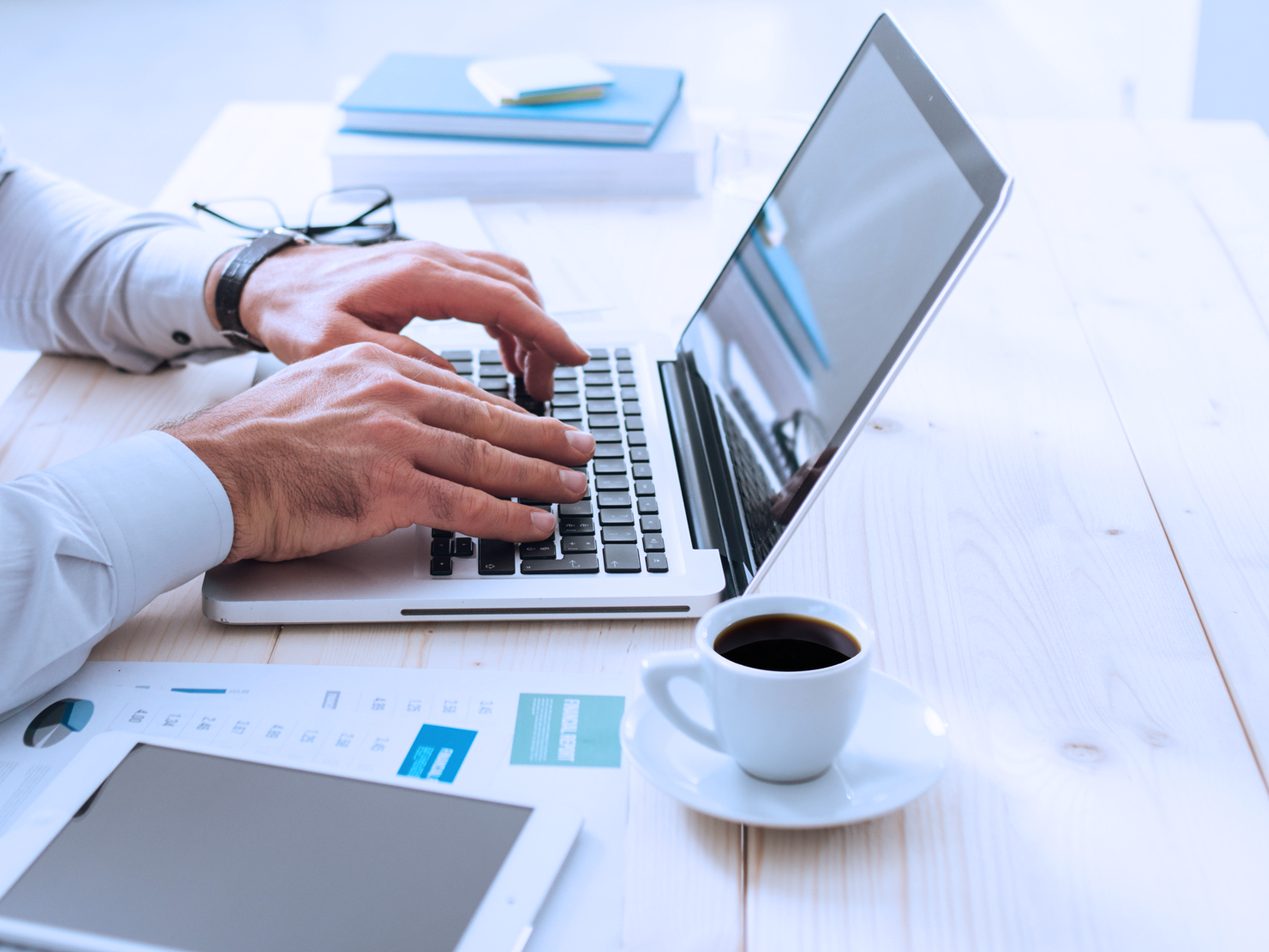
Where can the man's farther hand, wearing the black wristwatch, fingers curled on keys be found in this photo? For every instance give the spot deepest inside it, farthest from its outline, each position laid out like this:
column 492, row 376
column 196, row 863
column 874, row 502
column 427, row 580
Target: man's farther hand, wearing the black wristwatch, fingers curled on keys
column 312, row 299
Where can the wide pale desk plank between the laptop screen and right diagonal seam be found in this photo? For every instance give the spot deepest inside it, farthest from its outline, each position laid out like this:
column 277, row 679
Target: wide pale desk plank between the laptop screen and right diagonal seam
column 994, row 525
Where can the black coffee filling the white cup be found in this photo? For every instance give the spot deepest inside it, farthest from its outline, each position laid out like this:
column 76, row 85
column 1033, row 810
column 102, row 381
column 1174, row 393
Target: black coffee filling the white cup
column 786, row 643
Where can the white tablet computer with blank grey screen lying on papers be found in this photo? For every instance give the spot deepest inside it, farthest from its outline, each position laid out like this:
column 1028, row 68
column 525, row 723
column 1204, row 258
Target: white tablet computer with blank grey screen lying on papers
column 143, row 845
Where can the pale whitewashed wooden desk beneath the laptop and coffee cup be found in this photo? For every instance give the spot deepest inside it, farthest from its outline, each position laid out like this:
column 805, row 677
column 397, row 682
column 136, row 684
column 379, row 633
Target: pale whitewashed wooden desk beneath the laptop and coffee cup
column 1058, row 521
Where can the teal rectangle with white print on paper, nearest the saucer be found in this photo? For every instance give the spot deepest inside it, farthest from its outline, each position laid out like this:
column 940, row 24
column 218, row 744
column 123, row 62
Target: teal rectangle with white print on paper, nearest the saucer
column 569, row 731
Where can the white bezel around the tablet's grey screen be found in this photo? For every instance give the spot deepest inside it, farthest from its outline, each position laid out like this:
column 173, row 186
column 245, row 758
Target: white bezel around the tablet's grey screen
column 504, row 918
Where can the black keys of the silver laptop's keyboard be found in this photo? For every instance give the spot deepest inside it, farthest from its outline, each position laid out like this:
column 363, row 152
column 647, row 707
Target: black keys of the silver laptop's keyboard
column 617, row 527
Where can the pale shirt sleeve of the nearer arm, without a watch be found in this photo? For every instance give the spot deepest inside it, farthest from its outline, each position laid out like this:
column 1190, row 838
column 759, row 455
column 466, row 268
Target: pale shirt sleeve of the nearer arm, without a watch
column 91, row 543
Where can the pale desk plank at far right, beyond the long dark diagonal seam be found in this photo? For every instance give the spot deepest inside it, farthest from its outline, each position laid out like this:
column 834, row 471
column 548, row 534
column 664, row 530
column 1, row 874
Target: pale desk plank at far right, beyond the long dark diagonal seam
column 1176, row 303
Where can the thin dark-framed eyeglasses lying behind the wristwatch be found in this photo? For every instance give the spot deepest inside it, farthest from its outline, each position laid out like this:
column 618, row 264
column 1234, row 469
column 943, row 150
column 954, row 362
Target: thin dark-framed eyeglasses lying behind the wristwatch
column 345, row 216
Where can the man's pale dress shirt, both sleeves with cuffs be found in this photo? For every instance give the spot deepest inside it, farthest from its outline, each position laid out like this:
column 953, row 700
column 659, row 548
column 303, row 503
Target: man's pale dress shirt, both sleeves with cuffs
column 87, row 544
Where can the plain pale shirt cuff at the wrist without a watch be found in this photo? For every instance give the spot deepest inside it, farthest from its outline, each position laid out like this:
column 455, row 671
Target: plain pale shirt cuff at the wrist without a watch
column 163, row 515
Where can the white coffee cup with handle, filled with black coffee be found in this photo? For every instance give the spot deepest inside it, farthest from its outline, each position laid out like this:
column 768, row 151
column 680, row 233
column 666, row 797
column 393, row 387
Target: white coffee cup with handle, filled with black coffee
column 785, row 678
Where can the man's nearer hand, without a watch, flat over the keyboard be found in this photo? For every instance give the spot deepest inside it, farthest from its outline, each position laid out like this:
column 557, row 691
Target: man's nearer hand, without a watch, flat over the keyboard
column 362, row 441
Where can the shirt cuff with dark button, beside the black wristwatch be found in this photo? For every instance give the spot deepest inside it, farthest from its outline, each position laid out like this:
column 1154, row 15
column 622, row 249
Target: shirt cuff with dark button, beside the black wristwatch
column 166, row 291
